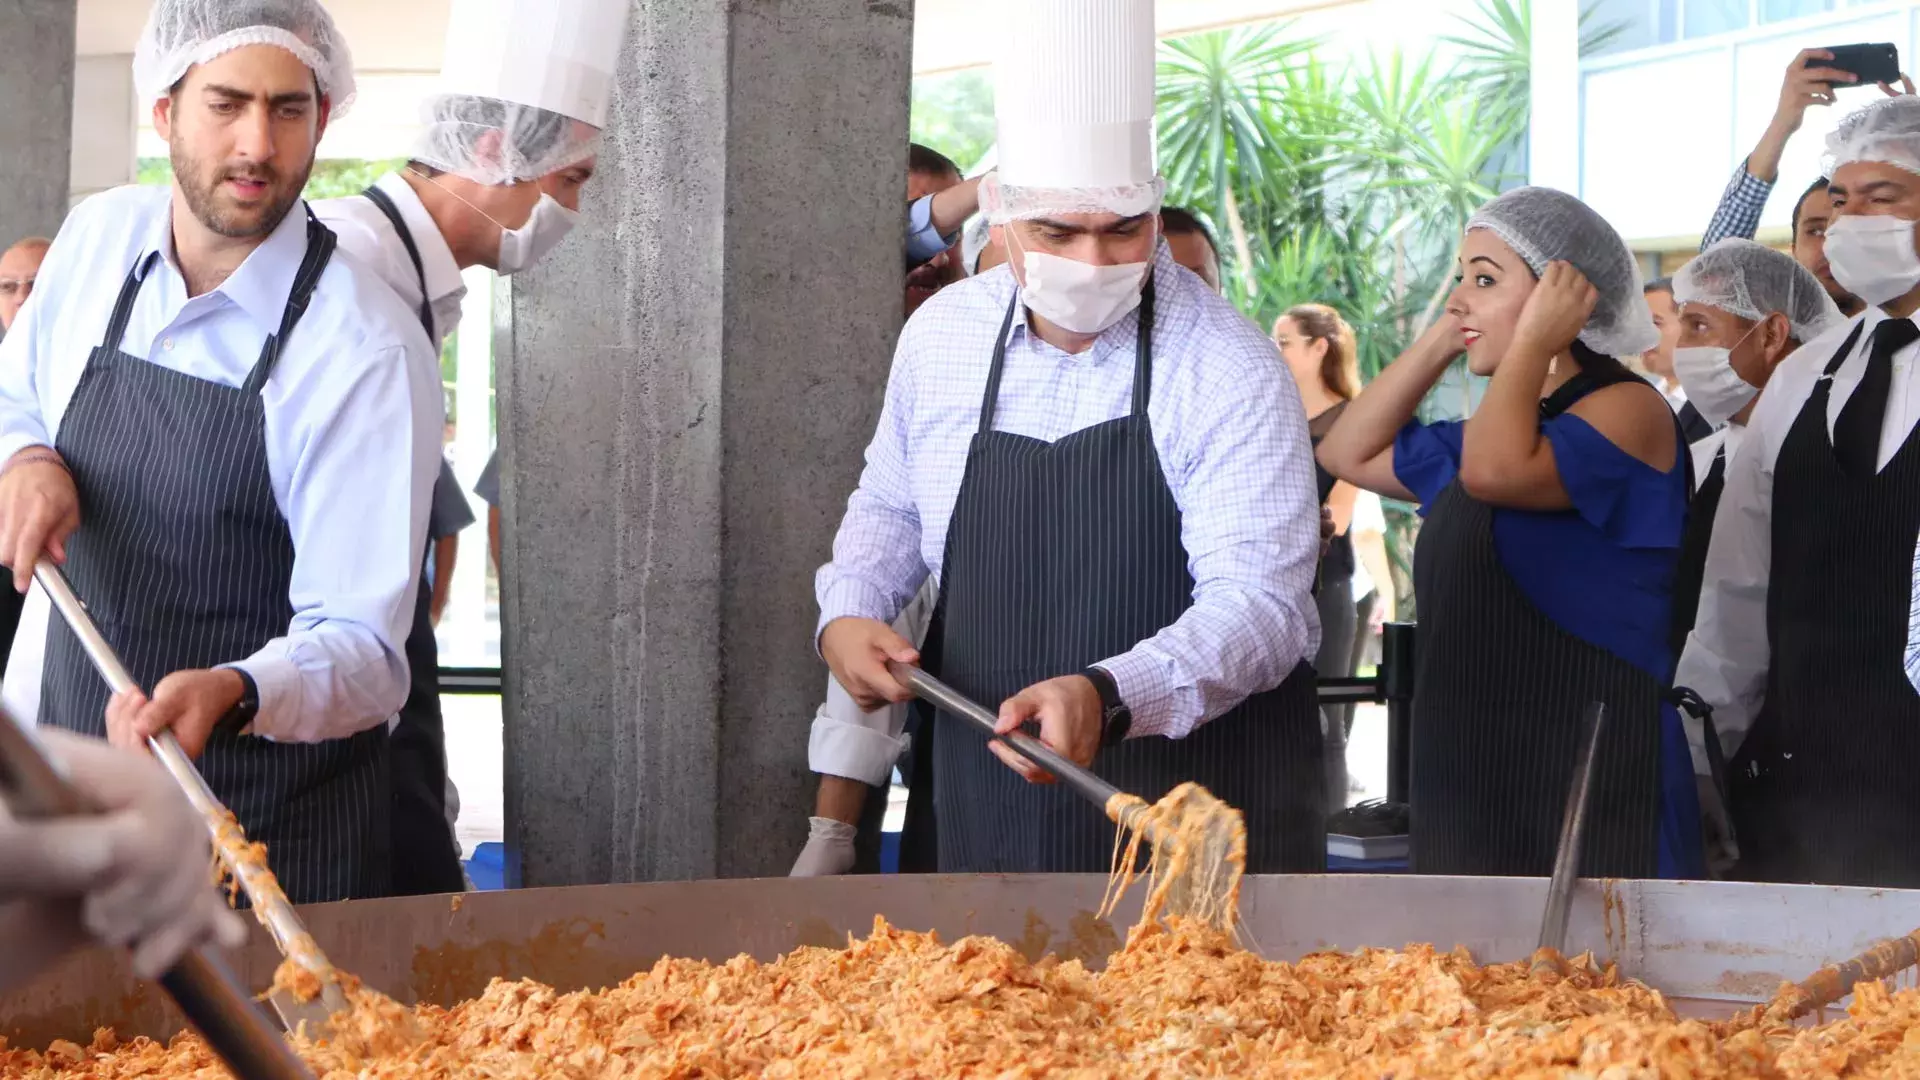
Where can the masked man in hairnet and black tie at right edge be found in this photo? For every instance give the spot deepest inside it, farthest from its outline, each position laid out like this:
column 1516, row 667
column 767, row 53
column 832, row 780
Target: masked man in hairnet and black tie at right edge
column 1804, row 616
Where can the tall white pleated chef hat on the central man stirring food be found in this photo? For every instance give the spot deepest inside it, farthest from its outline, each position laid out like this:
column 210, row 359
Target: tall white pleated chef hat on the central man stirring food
column 1074, row 95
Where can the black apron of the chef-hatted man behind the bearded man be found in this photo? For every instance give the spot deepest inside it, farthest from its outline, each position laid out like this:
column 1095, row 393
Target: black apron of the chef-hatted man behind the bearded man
column 427, row 858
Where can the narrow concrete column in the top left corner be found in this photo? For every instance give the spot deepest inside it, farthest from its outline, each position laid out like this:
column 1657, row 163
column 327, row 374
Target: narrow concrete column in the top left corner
column 37, row 122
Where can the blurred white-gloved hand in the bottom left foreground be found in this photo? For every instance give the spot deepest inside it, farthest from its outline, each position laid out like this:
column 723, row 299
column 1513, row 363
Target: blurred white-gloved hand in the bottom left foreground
column 141, row 870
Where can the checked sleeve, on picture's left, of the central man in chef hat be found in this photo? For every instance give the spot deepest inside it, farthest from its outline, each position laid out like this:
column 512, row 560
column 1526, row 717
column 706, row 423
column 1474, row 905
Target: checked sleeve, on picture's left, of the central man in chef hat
column 876, row 552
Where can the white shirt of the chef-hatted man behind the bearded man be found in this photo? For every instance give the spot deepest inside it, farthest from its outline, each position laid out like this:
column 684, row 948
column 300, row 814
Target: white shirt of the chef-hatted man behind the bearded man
column 372, row 239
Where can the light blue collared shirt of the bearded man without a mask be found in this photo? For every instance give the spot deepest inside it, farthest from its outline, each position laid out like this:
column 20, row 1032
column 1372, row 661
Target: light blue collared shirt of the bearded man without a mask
column 354, row 422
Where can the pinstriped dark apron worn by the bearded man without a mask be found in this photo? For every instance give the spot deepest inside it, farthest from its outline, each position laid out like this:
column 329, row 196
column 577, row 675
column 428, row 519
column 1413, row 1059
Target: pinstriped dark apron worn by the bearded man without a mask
column 185, row 564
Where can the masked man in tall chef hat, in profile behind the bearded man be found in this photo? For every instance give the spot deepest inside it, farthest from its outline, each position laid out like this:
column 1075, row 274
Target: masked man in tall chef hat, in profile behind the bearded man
column 523, row 97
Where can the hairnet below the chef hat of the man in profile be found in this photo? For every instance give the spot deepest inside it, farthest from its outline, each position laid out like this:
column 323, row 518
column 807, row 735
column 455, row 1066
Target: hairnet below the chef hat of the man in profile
column 531, row 141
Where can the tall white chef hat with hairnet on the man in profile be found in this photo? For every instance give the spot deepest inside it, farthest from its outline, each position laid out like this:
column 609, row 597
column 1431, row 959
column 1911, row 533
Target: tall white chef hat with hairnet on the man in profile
column 523, row 87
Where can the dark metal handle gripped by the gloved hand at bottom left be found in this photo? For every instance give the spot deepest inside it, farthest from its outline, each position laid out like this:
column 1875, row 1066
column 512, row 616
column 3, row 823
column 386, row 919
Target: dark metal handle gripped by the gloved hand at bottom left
column 201, row 983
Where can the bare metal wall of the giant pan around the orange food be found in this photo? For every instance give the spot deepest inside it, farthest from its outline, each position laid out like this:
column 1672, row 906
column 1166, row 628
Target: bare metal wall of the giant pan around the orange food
column 1708, row 945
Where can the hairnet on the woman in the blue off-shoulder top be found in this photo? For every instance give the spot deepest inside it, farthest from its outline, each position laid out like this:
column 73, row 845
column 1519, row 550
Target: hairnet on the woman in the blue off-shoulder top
column 1545, row 226
